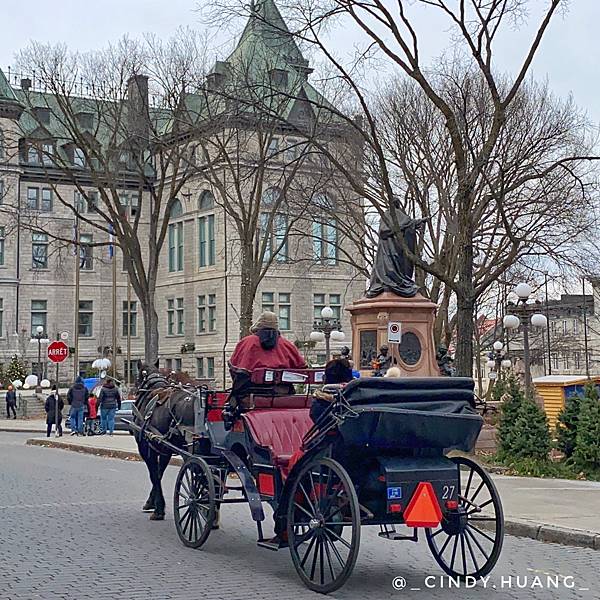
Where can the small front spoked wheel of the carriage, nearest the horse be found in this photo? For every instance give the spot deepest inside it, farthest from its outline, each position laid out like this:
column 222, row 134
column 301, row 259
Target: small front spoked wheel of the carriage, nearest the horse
column 194, row 502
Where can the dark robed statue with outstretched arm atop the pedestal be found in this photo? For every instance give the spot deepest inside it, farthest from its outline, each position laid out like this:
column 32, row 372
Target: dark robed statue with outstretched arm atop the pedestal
column 393, row 270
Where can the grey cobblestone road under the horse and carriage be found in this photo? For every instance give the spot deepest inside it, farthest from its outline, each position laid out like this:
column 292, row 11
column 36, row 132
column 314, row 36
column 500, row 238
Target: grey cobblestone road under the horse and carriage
column 71, row 528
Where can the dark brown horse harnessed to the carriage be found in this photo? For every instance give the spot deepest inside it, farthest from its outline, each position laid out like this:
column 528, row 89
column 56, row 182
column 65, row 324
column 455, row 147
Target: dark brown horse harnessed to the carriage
column 162, row 407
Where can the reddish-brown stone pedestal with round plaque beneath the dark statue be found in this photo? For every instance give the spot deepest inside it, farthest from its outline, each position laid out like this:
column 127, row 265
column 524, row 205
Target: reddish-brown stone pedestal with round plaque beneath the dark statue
column 415, row 355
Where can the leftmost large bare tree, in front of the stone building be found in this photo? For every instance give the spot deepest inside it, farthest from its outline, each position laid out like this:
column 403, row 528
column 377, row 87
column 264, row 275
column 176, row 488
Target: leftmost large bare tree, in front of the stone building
column 111, row 121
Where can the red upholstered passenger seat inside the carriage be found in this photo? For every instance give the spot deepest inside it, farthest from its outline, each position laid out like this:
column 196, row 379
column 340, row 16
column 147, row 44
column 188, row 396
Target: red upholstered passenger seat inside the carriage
column 280, row 430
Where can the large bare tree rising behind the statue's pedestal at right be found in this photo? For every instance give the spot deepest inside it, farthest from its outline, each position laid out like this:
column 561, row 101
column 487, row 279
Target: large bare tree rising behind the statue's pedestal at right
column 478, row 192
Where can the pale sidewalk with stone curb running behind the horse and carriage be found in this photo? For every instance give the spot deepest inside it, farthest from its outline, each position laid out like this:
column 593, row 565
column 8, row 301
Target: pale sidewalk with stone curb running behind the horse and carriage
column 550, row 510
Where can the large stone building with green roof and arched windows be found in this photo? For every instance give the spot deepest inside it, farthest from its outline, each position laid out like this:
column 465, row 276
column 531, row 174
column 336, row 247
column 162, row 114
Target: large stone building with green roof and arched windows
column 199, row 283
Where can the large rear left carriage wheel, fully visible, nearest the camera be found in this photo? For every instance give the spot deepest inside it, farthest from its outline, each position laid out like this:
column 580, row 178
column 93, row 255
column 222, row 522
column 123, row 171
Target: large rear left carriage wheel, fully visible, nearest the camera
column 323, row 525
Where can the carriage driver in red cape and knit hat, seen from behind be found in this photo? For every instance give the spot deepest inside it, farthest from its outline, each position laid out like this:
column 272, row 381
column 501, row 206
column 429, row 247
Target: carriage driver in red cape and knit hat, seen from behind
column 264, row 348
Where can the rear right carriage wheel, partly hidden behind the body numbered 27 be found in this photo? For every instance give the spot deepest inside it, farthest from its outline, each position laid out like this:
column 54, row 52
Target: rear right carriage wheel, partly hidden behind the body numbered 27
column 469, row 540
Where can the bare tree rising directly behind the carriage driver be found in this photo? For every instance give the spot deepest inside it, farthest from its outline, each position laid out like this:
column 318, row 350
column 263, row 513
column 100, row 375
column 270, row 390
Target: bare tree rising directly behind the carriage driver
column 259, row 152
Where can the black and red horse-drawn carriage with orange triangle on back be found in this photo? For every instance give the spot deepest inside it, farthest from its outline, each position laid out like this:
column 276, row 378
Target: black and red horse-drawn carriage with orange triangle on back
column 377, row 456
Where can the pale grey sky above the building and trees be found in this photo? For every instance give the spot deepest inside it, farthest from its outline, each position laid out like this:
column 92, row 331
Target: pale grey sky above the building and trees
column 568, row 57
